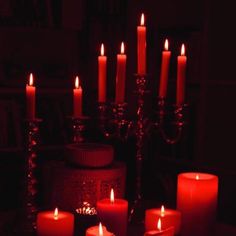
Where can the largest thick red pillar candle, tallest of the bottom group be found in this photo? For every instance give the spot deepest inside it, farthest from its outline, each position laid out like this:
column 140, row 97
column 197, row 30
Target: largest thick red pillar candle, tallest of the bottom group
column 197, row 200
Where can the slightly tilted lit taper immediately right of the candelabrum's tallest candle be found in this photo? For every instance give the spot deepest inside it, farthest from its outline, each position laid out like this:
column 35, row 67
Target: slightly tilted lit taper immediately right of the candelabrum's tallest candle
column 165, row 62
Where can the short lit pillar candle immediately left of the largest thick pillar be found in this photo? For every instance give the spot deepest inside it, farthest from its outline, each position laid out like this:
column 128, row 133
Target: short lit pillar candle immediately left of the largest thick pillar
column 169, row 217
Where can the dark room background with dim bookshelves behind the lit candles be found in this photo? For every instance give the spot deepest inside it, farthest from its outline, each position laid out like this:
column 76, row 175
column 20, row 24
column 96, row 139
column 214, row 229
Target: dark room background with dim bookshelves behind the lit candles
column 57, row 39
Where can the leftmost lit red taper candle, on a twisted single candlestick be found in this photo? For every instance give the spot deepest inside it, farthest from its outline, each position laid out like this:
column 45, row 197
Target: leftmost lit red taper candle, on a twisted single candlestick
column 30, row 98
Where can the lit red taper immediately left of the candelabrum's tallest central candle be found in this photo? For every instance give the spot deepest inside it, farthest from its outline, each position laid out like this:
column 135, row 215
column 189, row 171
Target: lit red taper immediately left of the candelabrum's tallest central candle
column 120, row 75
